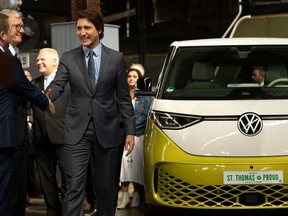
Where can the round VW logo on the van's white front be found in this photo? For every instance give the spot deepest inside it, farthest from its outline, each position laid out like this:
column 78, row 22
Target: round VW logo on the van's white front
column 250, row 124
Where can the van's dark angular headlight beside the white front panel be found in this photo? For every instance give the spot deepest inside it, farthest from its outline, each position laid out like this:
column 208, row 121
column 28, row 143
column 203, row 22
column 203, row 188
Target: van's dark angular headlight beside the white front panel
column 174, row 121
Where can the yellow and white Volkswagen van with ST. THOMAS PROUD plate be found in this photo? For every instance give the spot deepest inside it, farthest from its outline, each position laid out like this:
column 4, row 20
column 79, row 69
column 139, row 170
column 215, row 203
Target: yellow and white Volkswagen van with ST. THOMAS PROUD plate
column 214, row 138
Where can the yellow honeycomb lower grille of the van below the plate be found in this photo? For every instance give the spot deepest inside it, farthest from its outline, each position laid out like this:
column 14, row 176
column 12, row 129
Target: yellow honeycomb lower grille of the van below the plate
column 178, row 193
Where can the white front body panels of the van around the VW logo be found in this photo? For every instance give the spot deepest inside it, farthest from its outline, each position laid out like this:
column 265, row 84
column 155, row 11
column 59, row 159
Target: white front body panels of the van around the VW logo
column 224, row 137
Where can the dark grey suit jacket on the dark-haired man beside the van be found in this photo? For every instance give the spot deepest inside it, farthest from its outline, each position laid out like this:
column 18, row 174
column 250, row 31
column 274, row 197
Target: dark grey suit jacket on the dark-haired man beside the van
column 99, row 103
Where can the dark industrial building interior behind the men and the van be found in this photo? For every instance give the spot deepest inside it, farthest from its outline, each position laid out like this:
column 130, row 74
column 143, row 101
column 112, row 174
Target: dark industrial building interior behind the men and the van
column 146, row 35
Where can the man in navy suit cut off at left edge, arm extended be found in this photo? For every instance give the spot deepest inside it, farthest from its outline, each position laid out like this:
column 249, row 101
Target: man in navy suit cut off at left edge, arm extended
column 10, row 89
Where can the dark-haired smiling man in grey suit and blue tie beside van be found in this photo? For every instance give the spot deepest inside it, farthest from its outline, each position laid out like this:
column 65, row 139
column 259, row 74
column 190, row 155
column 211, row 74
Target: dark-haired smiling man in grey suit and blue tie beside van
column 92, row 119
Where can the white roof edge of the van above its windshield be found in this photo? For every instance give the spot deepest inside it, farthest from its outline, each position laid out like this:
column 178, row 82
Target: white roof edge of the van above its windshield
column 231, row 41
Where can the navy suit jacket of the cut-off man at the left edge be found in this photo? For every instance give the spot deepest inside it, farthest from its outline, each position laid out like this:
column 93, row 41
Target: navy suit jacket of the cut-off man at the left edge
column 8, row 103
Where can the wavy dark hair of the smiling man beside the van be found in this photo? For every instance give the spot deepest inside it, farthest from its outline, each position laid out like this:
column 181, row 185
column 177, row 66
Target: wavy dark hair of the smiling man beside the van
column 95, row 17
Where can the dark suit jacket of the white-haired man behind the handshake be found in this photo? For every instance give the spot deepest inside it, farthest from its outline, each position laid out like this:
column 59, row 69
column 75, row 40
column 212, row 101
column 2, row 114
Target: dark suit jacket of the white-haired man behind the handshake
column 54, row 123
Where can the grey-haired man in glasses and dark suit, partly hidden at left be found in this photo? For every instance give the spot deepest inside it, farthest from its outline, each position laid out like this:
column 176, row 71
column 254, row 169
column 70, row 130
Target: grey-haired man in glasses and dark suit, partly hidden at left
column 20, row 171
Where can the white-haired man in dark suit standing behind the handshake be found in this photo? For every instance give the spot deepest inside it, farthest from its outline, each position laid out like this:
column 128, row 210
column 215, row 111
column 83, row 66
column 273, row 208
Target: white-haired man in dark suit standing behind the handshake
column 48, row 134
